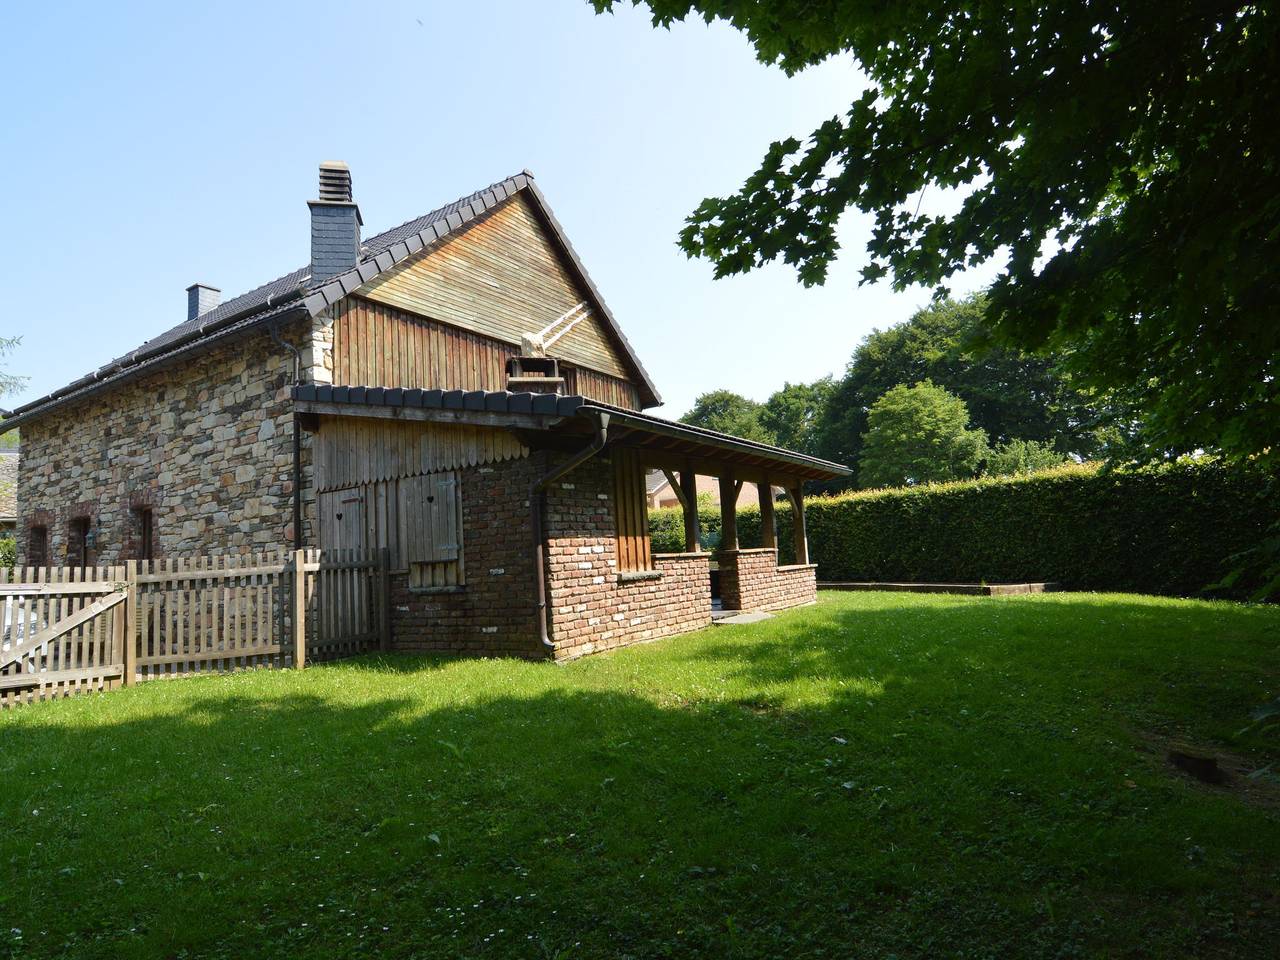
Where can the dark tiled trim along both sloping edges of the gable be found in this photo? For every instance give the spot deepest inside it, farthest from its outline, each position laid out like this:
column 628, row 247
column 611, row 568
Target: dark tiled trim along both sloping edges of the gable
column 455, row 222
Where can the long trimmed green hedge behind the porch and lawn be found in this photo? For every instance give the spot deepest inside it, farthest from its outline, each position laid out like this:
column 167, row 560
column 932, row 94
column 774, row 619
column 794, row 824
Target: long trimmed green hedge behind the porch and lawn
column 1168, row 531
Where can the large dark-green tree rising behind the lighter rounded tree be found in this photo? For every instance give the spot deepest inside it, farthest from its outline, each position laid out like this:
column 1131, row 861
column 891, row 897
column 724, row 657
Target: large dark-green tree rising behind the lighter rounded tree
column 1011, row 395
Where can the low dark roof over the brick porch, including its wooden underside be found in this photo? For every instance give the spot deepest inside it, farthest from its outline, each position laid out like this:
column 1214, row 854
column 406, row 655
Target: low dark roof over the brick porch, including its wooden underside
column 665, row 444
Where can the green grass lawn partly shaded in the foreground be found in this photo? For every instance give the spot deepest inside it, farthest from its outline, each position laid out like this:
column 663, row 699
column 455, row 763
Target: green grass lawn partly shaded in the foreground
column 879, row 775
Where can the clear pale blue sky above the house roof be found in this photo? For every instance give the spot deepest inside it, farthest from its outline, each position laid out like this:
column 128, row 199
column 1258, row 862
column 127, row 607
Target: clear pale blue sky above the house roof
column 147, row 147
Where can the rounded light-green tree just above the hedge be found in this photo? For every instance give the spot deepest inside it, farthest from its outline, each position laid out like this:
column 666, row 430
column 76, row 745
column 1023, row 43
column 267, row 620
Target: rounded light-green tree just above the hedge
column 920, row 435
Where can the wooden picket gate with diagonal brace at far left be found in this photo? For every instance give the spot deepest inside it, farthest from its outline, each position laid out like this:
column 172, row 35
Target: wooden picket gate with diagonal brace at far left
column 62, row 632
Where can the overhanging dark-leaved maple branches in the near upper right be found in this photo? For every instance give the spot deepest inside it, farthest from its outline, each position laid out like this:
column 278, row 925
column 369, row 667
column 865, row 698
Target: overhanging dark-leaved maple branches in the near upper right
column 1124, row 158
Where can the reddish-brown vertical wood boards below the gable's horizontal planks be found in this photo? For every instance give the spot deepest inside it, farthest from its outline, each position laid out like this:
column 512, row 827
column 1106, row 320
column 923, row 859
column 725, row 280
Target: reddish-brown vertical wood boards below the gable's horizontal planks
column 381, row 346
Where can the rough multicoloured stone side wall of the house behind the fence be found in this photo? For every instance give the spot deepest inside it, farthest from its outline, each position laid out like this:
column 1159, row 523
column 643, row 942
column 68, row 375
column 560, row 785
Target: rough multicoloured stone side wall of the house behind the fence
column 204, row 445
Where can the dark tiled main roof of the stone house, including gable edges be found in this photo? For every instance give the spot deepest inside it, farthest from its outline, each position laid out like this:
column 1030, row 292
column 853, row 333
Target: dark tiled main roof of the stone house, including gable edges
column 295, row 294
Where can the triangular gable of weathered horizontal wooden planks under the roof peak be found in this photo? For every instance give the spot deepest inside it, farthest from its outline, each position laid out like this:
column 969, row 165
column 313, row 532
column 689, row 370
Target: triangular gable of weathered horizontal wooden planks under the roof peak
column 504, row 277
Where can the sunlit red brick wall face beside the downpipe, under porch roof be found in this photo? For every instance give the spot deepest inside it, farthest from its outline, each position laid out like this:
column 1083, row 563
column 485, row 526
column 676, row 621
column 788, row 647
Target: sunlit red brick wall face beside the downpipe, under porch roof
column 595, row 607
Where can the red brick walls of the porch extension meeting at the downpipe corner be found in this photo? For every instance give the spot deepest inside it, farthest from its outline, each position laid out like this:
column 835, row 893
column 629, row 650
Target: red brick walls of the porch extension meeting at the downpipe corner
column 592, row 609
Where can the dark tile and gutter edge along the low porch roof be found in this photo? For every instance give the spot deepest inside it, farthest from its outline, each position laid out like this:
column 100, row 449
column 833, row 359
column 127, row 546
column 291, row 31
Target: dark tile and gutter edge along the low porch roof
column 550, row 405
